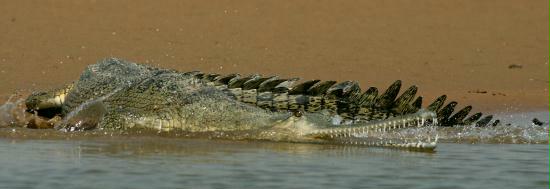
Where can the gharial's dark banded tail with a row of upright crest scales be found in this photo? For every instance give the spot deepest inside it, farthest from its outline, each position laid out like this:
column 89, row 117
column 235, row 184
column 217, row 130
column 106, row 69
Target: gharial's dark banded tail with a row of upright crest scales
column 344, row 98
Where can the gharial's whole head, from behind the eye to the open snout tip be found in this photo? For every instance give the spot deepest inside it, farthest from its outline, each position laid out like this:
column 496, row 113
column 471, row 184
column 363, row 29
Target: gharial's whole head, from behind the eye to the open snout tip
column 413, row 131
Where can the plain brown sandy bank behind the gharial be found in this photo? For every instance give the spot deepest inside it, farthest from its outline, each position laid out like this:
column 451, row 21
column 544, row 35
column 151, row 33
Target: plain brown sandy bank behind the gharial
column 457, row 48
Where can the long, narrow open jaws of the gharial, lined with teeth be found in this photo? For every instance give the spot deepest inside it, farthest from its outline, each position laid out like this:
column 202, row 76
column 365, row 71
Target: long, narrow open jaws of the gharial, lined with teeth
column 413, row 131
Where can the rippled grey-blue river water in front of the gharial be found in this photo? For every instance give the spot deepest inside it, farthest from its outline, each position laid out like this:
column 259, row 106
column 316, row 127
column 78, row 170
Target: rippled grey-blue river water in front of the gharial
column 146, row 162
